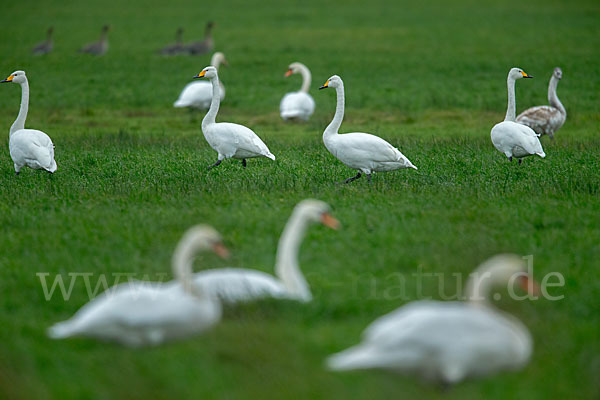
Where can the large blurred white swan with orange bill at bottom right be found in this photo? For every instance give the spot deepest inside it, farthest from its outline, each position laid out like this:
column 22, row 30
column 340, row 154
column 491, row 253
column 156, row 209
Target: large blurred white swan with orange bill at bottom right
column 445, row 342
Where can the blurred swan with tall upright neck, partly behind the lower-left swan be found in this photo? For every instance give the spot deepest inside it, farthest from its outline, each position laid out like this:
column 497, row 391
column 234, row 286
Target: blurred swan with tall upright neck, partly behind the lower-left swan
column 236, row 285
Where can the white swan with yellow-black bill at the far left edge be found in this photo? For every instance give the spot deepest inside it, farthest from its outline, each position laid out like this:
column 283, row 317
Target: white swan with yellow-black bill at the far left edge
column 28, row 147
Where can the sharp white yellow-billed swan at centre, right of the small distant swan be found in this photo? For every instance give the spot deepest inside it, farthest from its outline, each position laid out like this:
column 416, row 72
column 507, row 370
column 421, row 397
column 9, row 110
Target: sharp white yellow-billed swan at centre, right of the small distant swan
column 361, row 151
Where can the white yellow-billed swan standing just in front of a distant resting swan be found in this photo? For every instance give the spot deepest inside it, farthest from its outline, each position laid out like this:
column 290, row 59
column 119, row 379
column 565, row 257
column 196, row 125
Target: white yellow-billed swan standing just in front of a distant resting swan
column 229, row 140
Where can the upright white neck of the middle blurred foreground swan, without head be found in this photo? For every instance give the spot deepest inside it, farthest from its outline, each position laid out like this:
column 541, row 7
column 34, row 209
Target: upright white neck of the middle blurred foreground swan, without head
column 286, row 266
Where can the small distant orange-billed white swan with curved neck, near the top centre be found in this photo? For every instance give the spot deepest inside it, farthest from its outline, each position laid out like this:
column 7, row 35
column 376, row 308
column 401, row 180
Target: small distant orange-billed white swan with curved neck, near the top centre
column 298, row 104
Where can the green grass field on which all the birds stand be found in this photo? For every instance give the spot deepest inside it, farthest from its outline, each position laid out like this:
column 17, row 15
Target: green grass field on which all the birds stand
column 132, row 177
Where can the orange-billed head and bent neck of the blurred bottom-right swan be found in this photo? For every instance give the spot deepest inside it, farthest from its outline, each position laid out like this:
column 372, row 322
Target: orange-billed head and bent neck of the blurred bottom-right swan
column 500, row 270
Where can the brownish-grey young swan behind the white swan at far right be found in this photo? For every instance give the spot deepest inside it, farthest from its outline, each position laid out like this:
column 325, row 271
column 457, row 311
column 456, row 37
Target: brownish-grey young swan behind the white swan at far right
column 545, row 120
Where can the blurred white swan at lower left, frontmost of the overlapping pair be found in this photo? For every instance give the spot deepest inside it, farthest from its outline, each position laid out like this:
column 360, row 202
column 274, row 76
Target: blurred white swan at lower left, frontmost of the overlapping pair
column 137, row 314
